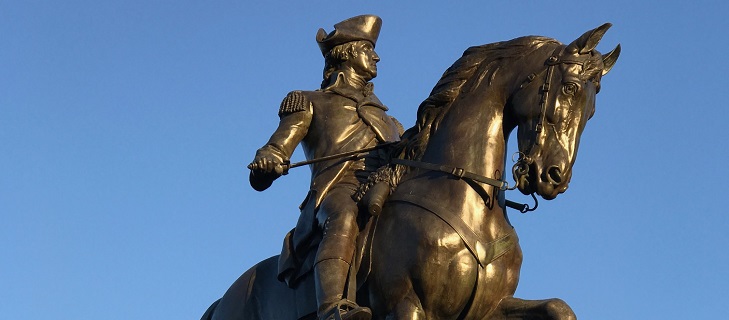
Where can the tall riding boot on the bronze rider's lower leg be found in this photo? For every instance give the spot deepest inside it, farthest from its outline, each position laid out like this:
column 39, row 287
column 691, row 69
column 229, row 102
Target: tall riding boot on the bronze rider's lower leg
column 331, row 277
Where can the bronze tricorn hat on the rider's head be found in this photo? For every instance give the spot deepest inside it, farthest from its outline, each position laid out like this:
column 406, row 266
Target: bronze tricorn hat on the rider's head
column 364, row 27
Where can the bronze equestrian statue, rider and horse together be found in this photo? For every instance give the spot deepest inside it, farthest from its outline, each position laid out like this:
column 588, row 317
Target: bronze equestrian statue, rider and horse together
column 441, row 245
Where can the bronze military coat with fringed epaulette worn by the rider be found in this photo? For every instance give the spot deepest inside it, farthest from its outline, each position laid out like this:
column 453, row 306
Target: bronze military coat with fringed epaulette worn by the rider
column 329, row 121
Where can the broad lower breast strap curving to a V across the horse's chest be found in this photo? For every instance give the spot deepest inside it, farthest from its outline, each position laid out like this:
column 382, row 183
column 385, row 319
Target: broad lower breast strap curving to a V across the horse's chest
column 484, row 252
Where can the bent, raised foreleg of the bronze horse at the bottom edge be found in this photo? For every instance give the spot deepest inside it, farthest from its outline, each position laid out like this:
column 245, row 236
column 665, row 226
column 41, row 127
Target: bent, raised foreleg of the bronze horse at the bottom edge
column 517, row 309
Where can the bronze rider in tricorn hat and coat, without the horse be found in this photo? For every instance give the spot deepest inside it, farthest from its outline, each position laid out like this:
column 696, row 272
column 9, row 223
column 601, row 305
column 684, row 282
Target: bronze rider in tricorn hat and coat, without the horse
column 343, row 115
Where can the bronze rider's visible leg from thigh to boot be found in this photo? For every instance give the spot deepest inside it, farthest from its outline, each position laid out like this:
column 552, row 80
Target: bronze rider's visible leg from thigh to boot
column 337, row 218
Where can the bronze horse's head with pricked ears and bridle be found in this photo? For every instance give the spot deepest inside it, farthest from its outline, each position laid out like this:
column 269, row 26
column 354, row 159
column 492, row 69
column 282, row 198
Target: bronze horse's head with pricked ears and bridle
column 551, row 107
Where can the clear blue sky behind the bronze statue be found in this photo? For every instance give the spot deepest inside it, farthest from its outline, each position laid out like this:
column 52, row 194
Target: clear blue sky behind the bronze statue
column 125, row 128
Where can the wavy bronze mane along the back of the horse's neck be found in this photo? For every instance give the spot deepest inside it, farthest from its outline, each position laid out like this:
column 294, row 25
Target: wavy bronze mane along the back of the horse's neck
column 476, row 64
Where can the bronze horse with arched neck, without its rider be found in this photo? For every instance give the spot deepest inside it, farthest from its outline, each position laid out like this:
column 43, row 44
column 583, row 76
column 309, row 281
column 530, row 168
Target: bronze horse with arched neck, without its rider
column 443, row 246
